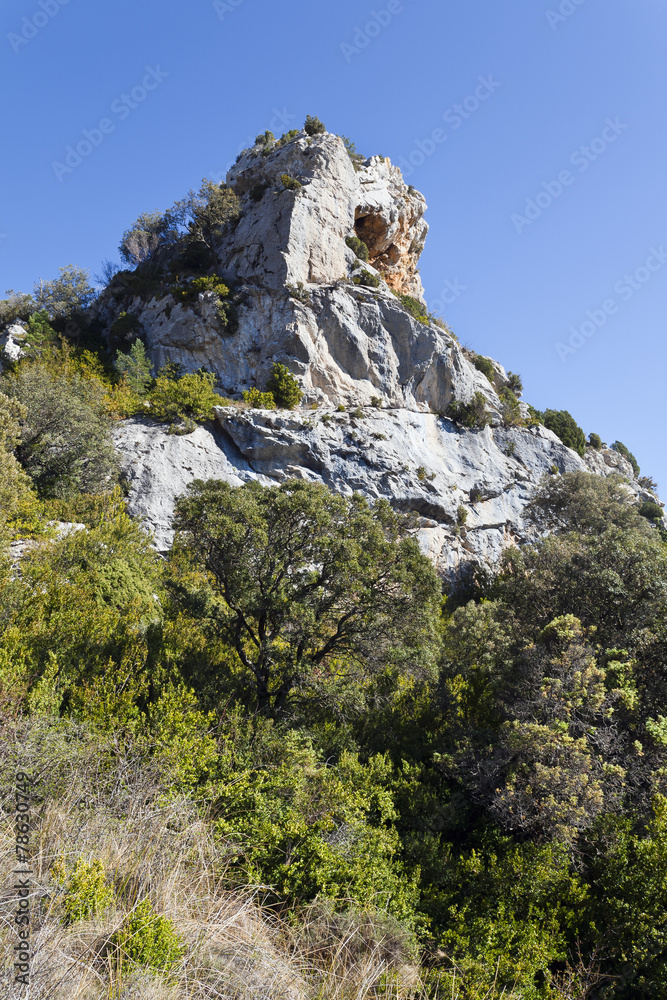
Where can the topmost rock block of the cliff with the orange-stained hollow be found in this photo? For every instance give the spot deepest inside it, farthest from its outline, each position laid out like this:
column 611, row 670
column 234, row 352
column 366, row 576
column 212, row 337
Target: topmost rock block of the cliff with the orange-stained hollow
column 287, row 236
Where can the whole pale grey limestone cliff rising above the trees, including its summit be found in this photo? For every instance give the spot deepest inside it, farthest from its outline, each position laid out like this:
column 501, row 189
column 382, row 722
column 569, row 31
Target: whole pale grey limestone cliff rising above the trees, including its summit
column 377, row 380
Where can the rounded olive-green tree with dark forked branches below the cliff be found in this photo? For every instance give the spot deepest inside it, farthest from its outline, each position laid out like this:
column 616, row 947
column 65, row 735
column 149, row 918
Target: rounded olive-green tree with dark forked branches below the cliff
column 308, row 578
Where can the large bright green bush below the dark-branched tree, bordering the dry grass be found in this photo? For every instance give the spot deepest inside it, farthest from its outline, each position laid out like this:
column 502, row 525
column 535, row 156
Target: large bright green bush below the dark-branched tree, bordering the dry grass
column 308, row 829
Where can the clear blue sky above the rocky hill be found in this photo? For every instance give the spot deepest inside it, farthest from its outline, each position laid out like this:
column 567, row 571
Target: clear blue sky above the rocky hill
column 553, row 84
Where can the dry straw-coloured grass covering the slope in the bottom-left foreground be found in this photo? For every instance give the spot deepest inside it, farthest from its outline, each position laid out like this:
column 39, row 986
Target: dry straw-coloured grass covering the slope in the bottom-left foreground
column 235, row 947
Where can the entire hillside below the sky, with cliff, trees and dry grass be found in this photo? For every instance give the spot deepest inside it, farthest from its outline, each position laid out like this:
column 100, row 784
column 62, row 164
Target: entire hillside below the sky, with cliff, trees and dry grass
column 330, row 669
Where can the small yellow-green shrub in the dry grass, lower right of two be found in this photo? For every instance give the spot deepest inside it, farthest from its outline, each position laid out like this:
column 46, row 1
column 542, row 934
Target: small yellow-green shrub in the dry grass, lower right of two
column 147, row 939
